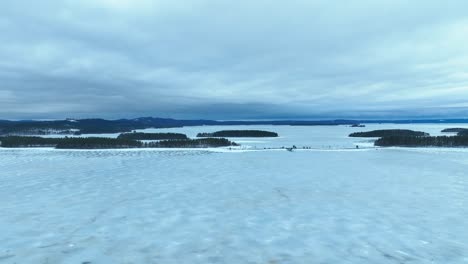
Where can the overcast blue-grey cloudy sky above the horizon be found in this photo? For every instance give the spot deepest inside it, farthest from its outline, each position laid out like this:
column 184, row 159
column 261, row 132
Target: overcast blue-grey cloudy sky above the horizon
column 233, row 59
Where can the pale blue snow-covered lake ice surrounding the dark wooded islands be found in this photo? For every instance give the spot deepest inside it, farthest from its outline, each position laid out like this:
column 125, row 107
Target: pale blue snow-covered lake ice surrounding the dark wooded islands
column 331, row 204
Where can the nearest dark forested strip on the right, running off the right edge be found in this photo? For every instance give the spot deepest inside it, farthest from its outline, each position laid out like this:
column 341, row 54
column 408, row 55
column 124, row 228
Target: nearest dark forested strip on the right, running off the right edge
column 415, row 141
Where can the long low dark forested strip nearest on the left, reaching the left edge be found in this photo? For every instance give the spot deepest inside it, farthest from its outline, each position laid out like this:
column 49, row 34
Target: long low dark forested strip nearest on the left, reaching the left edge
column 108, row 143
